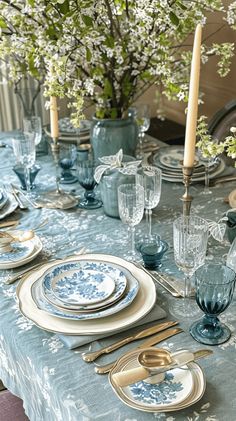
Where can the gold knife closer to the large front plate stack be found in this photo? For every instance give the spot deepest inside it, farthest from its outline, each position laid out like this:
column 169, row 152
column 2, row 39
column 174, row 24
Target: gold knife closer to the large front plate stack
column 91, row 356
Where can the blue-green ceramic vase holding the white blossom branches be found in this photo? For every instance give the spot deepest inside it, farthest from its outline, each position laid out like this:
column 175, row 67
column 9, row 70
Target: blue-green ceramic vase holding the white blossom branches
column 108, row 136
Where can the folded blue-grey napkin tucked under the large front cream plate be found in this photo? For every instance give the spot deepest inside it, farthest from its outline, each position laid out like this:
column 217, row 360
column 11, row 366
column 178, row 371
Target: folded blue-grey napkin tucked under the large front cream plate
column 75, row 341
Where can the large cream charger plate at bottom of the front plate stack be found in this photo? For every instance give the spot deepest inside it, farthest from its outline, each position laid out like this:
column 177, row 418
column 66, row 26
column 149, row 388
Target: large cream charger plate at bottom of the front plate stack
column 141, row 305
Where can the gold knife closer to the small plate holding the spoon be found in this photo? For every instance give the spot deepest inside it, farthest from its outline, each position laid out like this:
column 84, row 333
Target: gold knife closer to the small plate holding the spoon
column 102, row 369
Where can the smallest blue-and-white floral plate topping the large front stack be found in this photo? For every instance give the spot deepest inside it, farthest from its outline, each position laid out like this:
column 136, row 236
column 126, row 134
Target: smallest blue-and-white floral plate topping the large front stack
column 82, row 286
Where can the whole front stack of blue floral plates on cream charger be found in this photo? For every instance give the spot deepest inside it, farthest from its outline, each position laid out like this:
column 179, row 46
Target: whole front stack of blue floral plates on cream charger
column 77, row 296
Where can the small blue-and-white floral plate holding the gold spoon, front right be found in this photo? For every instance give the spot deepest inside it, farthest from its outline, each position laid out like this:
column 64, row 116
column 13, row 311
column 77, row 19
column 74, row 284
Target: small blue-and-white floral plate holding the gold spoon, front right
column 180, row 388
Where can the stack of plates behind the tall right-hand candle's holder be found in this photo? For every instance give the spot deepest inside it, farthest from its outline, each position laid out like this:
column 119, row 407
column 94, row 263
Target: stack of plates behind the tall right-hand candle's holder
column 169, row 158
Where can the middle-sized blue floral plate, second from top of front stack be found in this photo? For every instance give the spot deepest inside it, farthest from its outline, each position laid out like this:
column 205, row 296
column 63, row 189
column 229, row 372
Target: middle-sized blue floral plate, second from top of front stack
column 116, row 274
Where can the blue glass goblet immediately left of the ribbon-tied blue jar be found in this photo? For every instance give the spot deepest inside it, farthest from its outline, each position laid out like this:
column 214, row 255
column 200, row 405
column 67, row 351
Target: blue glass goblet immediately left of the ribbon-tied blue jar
column 86, row 179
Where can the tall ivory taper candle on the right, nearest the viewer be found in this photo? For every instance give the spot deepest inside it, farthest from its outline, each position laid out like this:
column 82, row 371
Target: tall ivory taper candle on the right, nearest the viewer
column 191, row 121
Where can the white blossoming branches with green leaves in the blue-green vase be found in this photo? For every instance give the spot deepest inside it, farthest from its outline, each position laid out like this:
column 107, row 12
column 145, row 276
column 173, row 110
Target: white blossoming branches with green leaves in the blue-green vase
column 107, row 52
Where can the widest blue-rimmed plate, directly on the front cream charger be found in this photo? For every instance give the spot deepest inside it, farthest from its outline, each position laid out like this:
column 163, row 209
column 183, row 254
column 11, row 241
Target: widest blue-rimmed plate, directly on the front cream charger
column 42, row 304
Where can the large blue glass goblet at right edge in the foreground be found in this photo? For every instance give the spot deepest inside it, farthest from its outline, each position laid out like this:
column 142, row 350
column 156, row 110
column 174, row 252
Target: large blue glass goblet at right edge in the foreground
column 215, row 284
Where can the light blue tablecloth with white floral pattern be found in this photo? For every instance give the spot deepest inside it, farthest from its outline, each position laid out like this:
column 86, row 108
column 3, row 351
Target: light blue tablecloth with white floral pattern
column 53, row 381
